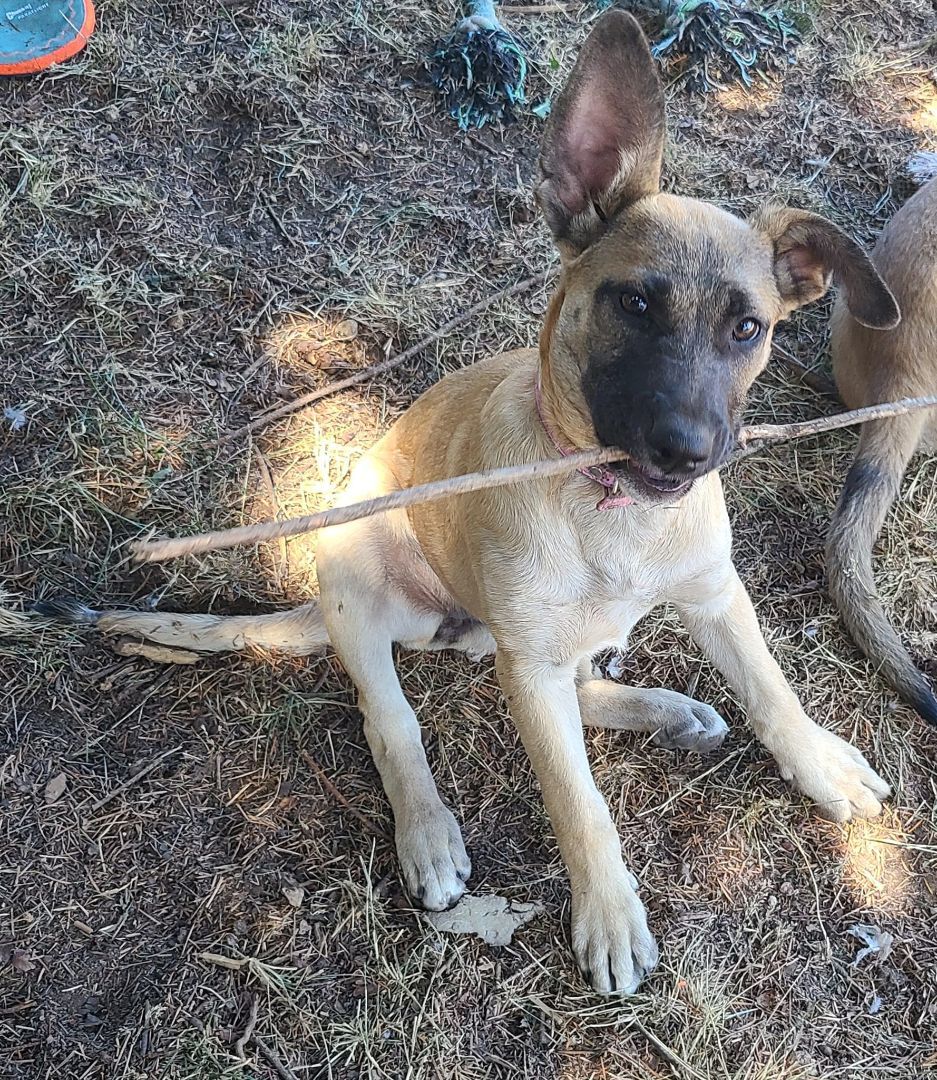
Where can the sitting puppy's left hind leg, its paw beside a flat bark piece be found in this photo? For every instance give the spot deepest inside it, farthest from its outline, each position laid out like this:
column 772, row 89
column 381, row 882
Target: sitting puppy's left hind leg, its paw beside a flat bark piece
column 430, row 847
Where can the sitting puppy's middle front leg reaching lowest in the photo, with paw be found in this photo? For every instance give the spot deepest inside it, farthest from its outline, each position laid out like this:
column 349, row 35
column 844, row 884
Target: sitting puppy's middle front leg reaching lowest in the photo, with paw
column 610, row 936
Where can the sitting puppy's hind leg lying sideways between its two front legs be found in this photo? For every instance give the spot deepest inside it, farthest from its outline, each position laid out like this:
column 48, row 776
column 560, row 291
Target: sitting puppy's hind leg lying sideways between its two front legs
column 677, row 722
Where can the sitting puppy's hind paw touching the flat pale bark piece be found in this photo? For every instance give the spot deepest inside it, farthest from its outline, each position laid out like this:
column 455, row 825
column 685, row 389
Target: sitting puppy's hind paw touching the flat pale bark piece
column 432, row 857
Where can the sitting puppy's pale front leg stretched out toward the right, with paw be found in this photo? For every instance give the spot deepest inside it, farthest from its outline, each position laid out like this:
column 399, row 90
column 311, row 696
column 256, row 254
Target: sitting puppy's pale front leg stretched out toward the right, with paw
column 830, row 771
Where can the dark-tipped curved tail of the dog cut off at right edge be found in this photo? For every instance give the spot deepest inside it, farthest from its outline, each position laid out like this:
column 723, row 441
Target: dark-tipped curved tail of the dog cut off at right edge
column 886, row 449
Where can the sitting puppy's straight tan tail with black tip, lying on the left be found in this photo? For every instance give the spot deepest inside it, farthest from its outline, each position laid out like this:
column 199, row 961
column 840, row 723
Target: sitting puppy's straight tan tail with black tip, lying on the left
column 300, row 632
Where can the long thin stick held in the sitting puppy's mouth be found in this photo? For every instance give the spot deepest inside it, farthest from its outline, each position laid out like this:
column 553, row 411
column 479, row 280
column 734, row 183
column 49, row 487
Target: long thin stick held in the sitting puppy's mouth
column 751, row 440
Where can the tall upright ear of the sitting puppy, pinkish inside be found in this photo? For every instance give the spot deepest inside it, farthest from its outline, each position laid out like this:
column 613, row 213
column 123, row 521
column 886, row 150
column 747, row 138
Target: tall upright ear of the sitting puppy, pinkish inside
column 605, row 138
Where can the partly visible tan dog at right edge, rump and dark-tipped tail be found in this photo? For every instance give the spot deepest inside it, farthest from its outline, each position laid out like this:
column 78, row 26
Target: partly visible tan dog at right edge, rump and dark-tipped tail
column 872, row 368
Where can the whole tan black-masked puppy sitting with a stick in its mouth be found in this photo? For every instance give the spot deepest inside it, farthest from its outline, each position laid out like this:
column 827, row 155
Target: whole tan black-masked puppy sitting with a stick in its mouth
column 661, row 321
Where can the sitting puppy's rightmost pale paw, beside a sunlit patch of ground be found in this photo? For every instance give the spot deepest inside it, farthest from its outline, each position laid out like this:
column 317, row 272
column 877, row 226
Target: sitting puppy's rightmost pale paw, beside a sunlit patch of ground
column 834, row 774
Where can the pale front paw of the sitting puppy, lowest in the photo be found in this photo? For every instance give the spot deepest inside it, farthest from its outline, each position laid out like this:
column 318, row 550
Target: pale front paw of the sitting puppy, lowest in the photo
column 610, row 938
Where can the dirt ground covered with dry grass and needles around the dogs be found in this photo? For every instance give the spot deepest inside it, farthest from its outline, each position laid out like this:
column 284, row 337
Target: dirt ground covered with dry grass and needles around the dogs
column 215, row 209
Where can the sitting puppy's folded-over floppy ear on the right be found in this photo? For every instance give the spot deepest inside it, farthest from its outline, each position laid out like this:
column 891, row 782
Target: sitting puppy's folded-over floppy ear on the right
column 809, row 251
